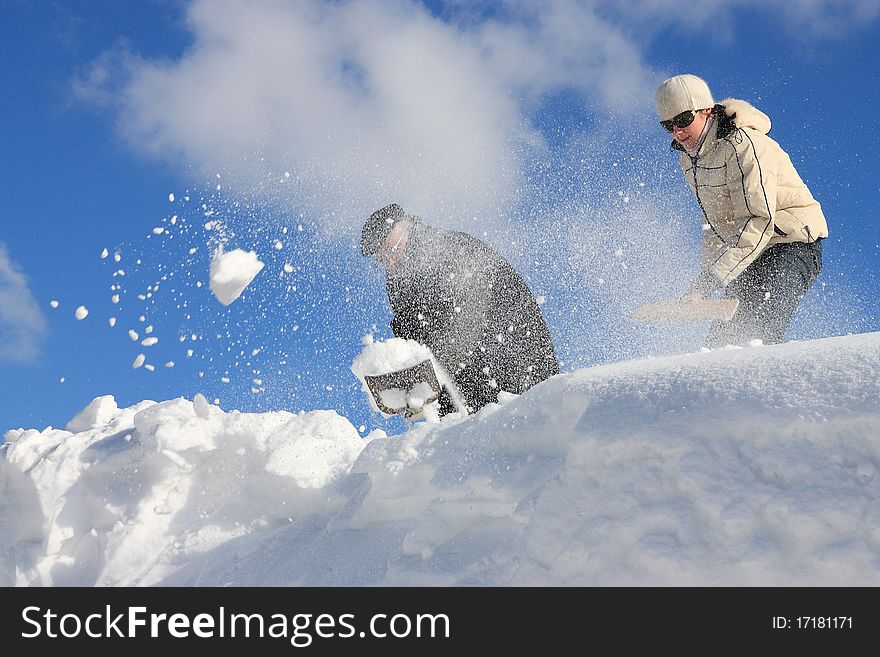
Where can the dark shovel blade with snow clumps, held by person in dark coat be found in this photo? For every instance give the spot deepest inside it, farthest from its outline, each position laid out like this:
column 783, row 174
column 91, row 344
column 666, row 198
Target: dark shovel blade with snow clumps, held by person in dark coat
column 407, row 392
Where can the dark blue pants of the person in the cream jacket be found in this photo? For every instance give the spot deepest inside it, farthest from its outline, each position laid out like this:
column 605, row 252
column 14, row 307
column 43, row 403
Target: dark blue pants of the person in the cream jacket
column 769, row 291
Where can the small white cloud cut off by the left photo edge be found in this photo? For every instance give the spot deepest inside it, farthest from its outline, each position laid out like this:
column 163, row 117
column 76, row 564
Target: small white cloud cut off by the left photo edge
column 22, row 326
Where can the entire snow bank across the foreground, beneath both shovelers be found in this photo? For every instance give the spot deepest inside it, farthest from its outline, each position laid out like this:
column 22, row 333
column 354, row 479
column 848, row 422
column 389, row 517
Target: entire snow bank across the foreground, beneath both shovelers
column 754, row 466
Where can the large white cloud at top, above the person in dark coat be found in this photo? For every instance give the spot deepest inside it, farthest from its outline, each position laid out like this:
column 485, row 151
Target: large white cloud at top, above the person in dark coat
column 367, row 103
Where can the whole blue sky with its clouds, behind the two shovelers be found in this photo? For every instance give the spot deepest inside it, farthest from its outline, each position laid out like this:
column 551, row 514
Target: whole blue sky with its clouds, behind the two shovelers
column 530, row 124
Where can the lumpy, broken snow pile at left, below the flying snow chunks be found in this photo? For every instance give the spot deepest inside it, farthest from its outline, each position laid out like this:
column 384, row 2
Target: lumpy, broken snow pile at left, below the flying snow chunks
column 130, row 495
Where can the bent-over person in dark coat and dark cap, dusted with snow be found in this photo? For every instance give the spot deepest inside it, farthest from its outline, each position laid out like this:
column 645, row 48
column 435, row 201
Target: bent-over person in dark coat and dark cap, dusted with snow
column 456, row 295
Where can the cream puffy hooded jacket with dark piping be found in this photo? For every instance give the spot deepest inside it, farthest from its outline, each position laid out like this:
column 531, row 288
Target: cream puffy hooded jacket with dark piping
column 750, row 193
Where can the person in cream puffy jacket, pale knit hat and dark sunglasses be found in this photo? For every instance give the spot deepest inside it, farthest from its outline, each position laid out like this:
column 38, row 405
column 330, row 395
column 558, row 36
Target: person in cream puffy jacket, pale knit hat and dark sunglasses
column 762, row 228
